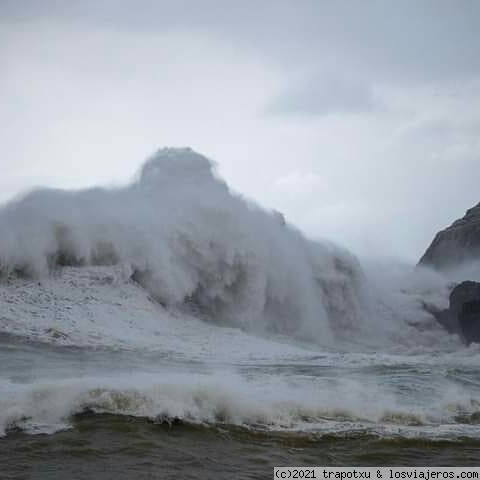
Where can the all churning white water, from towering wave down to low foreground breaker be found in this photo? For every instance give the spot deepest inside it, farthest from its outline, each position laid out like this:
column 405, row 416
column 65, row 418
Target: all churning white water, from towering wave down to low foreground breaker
column 176, row 300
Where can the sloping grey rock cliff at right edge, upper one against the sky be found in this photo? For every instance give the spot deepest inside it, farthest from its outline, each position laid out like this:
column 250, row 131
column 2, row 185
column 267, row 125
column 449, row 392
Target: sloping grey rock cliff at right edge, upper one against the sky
column 456, row 244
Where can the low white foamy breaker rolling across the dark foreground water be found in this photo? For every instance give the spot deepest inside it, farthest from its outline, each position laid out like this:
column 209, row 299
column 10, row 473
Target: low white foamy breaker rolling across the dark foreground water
column 226, row 398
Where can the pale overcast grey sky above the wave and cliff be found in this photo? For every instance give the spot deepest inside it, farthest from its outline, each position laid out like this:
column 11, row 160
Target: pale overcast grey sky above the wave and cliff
column 359, row 120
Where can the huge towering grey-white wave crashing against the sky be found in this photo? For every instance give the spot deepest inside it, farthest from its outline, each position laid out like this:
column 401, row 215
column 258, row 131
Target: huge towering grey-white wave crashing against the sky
column 193, row 244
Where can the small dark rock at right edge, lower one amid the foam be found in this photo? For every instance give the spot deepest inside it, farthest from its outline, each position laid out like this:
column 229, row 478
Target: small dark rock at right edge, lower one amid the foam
column 463, row 315
